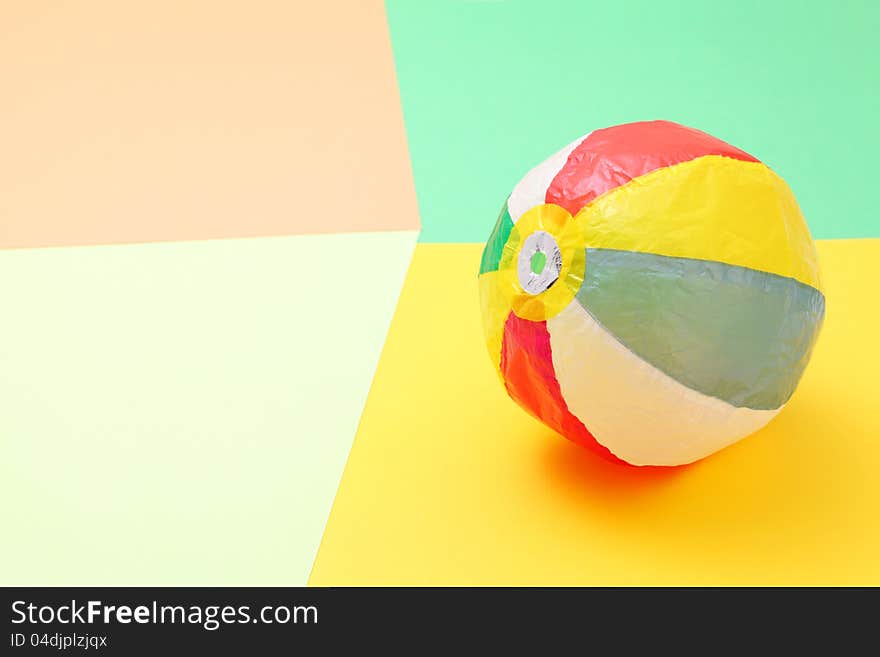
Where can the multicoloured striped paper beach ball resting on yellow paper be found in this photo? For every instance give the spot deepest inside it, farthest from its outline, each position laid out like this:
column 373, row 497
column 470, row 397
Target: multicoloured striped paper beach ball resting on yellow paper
column 651, row 292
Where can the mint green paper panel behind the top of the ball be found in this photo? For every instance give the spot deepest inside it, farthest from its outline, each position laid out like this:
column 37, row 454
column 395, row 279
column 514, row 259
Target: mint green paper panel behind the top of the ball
column 489, row 89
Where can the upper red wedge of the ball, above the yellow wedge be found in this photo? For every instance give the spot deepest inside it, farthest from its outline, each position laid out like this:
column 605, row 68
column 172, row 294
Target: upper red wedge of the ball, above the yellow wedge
column 612, row 157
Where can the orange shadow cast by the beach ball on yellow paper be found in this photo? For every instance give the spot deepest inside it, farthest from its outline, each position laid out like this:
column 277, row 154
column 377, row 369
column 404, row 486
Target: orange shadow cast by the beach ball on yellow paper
column 787, row 475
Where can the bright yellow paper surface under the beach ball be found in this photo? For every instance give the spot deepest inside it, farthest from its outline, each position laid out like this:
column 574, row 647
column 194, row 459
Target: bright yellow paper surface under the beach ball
column 449, row 482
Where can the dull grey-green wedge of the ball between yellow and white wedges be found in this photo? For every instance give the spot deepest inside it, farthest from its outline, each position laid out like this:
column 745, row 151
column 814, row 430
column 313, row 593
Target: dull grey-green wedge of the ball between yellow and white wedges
column 740, row 335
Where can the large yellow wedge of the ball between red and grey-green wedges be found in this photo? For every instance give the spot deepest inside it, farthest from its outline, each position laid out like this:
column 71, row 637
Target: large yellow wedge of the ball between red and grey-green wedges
column 711, row 208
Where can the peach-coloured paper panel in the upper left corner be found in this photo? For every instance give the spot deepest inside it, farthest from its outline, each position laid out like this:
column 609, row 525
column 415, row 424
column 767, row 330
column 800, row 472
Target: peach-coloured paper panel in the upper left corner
column 162, row 120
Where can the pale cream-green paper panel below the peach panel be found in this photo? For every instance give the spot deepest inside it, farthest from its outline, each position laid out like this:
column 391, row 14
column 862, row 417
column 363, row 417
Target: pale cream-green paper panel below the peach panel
column 180, row 413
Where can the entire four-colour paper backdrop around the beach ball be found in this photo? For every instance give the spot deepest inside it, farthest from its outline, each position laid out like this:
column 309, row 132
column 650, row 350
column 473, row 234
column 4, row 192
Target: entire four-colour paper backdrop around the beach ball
column 181, row 412
